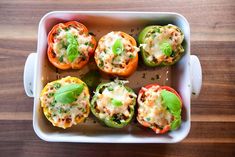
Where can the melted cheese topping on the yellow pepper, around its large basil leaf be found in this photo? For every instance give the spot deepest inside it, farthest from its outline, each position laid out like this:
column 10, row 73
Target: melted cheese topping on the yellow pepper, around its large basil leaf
column 59, row 113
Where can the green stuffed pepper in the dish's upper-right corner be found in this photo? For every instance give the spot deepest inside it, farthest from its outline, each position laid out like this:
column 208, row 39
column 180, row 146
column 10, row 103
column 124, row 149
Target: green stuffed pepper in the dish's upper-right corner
column 161, row 45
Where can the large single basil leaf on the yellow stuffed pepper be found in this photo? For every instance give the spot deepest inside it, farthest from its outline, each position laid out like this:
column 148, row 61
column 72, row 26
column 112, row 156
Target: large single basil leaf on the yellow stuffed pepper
column 68, row 93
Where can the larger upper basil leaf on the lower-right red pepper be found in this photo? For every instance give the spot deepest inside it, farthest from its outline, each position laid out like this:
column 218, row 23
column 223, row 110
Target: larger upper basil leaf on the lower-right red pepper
column 172, row 102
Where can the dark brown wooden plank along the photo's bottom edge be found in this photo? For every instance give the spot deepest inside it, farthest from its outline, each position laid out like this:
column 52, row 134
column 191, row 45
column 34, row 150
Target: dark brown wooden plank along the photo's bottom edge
column 40, row 148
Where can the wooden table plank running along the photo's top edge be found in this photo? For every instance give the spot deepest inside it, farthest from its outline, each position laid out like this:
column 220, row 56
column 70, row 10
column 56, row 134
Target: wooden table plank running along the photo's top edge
column 209, row 20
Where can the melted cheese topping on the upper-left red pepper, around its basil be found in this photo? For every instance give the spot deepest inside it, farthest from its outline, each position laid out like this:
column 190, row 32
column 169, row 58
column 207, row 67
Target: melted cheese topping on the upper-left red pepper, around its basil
column 60, row 44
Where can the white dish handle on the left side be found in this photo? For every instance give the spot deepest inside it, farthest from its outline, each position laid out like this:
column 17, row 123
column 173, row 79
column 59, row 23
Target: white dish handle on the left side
column 29, row 74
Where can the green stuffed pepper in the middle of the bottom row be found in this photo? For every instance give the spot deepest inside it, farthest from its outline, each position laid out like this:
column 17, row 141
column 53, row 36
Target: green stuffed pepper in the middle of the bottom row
column 113, row 104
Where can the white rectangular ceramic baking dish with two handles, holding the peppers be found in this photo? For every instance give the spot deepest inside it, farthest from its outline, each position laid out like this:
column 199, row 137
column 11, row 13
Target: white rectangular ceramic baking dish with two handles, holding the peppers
column 185, row 76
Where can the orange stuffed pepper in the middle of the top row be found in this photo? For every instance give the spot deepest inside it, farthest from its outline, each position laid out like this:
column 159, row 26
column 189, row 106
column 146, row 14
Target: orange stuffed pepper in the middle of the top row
column 117, row 54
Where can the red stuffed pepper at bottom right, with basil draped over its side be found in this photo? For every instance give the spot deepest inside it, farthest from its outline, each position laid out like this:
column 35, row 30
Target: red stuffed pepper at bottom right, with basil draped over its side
column 159, row 108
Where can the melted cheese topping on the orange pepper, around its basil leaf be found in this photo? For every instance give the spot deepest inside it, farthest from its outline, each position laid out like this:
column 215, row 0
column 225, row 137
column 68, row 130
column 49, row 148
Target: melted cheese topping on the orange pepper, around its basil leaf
column 107, row 60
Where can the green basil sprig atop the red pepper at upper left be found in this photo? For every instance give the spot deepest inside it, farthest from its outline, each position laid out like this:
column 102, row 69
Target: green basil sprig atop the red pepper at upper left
column 72, row 49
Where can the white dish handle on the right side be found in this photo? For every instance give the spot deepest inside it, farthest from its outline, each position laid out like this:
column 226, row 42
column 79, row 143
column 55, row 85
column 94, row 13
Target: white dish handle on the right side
column 196, row 76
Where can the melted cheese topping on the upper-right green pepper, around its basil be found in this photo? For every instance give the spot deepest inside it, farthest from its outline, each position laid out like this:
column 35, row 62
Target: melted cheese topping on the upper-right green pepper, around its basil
column 170, row 34
